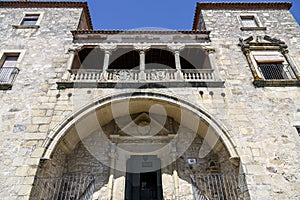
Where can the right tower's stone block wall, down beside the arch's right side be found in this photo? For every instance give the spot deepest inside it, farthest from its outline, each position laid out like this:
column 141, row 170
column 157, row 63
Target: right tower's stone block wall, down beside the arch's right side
column 261, row 120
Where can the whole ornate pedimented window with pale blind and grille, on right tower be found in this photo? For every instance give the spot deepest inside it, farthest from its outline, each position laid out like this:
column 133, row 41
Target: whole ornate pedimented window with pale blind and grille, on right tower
column 270, row 62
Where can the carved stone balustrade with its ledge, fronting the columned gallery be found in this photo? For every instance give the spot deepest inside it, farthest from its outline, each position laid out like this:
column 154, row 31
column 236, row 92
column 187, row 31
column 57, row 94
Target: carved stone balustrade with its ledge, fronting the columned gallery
column 136, row 78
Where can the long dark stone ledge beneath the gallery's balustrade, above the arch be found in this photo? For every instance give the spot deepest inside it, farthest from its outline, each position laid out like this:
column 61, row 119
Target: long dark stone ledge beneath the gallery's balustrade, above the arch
column 173, row 84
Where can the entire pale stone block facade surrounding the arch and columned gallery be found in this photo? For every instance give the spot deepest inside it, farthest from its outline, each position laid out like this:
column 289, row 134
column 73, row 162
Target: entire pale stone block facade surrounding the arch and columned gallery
column 260, row 121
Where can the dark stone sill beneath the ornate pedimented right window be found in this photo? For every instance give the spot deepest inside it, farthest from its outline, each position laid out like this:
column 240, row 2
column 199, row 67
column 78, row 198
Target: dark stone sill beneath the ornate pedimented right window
column 277, row 83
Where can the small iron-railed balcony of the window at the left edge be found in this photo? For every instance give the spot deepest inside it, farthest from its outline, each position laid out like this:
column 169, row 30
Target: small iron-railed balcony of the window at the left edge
column 7, row 77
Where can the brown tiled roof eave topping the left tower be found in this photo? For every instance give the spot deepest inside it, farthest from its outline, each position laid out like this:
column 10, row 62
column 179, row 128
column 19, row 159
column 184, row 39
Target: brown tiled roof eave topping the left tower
column 50, row 4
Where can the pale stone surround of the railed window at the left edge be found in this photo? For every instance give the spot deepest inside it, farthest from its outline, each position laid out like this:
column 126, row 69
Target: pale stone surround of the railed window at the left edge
column 3, row 55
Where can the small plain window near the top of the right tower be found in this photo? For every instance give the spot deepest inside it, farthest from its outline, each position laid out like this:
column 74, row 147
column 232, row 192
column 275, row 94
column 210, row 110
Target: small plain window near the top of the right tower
column 250, row 22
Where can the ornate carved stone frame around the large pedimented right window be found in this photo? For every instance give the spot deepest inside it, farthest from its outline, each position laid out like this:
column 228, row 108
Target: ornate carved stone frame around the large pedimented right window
column 277, row 50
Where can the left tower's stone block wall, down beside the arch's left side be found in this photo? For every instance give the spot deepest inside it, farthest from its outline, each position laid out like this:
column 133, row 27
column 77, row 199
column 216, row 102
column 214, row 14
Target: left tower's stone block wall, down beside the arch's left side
column 27, row 110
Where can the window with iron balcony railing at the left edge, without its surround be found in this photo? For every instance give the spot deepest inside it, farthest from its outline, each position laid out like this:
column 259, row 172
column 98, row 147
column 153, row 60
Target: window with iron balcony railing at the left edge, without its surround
column 8, row 70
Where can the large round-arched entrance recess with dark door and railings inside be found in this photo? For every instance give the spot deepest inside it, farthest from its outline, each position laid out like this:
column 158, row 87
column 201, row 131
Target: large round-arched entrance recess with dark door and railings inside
column 96, row 151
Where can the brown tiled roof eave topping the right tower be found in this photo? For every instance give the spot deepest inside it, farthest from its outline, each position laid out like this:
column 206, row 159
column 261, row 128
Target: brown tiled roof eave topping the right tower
column 237, row 6
